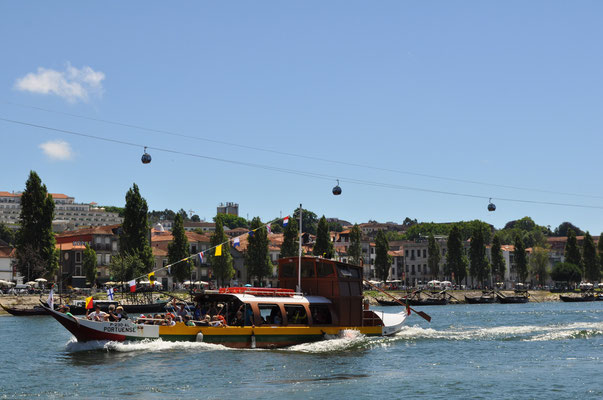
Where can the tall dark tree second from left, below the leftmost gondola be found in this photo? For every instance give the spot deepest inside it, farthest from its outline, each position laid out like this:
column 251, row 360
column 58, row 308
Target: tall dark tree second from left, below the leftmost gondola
column 134, row 236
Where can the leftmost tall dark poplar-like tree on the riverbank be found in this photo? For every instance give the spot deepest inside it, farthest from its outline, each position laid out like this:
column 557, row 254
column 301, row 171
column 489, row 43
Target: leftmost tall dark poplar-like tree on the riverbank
column 36, row 246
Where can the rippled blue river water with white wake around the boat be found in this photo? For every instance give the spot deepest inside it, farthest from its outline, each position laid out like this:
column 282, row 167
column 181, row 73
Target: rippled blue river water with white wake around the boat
column 502, row 351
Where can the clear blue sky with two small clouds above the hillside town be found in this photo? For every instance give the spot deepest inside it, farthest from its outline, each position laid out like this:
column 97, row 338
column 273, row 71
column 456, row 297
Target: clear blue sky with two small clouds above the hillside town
column 421, row 109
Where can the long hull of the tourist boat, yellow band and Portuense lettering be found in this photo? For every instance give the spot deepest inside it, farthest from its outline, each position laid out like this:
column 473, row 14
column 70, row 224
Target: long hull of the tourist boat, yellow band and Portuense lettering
column 230, row 336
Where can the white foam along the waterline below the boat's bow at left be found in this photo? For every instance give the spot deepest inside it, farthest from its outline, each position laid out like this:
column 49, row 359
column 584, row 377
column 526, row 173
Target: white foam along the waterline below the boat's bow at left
column 156, row 345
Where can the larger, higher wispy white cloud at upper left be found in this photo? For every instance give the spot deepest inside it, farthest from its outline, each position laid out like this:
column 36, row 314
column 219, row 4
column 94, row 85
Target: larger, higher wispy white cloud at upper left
column 72, row 84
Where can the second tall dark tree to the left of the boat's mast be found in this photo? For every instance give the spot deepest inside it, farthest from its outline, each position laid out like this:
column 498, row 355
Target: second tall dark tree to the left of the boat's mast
column 257, row 256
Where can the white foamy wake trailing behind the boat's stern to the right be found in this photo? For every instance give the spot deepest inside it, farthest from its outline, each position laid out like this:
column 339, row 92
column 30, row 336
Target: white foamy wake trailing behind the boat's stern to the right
column 577, row 330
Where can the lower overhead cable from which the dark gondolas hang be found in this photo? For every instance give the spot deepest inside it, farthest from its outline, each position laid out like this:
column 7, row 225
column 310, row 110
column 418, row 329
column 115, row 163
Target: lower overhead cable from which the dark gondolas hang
column 293, row 171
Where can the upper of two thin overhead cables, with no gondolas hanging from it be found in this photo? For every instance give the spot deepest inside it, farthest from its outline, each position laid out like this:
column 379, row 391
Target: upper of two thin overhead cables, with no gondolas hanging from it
column 304, row 156
